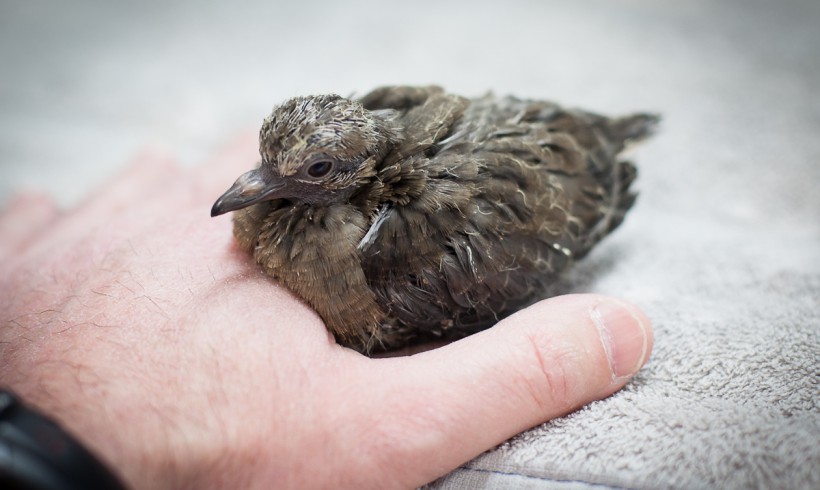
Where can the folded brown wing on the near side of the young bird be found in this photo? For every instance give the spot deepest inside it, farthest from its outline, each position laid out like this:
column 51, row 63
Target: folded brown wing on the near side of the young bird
column 511, row 192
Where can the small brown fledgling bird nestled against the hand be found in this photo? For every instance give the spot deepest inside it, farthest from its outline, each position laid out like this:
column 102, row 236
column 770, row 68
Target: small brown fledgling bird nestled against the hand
column 411, row 213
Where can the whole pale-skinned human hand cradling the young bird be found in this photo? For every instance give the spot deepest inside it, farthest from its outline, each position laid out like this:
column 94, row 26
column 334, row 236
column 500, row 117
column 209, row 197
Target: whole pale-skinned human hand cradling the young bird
column 135, row 321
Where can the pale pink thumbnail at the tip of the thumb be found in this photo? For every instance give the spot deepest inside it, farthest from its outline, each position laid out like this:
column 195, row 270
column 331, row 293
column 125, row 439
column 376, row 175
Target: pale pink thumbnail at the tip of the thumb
column 623, row 335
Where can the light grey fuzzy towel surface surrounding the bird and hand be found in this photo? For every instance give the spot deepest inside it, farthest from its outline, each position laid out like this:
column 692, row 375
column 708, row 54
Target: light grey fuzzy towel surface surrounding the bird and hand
column 722, row 249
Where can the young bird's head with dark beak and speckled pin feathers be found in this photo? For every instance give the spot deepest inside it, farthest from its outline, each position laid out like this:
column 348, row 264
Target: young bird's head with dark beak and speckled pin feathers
column 315, row 150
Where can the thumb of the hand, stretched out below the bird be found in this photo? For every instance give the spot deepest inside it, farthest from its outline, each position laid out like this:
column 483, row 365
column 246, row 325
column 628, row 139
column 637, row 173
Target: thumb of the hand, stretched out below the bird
column 449, row 405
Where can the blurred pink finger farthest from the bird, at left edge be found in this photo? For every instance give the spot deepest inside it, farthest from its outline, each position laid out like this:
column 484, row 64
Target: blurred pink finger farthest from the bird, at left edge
column 22, row 219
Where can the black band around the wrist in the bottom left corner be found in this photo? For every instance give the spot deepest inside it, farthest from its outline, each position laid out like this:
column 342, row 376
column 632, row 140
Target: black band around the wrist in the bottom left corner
column 37, row 454
